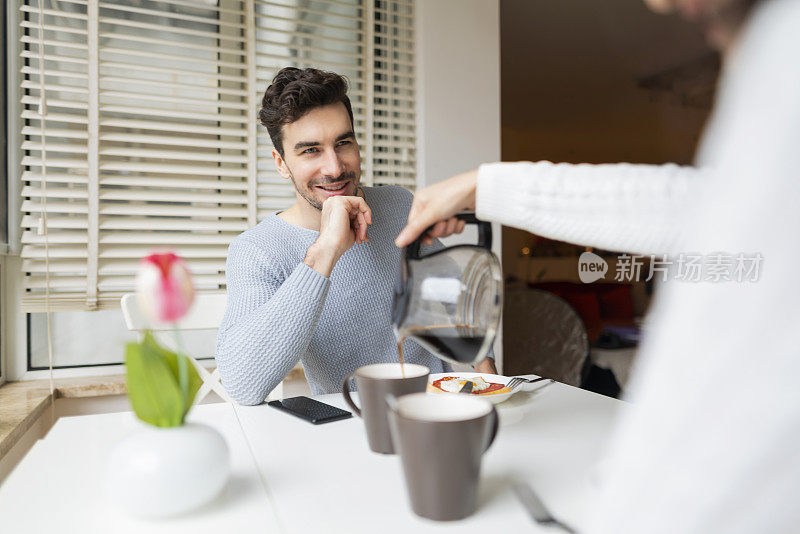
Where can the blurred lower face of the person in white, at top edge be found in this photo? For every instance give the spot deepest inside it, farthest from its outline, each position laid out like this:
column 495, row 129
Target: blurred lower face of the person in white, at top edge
column 720, row 18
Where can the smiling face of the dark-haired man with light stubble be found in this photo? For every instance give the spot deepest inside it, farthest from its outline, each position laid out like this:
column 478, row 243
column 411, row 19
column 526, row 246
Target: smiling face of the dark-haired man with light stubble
column 320, row 155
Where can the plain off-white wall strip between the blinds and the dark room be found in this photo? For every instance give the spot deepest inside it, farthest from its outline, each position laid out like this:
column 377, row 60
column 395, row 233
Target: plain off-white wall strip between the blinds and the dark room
column 458, row 93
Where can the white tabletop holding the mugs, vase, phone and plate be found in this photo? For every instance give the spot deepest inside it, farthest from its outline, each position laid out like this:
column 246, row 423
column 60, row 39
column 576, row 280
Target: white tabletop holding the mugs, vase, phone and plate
column 308, row 479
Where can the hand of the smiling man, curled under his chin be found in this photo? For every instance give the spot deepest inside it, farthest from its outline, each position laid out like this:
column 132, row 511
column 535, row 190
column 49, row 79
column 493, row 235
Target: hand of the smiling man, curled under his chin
column 344, row 222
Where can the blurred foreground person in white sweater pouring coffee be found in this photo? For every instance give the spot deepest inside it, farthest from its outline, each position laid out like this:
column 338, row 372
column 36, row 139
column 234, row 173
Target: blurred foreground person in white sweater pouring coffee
column 711, row 442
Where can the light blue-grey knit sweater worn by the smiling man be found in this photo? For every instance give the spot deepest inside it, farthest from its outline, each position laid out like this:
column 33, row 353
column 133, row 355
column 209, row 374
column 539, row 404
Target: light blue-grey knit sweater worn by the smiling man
column 280, row 311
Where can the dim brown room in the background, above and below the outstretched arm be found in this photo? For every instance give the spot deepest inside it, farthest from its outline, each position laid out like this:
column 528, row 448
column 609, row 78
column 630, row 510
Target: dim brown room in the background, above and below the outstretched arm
column 589, row 82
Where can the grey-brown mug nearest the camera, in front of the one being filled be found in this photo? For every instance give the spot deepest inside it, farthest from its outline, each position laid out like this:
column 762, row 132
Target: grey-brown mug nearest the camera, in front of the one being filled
column 440, row 440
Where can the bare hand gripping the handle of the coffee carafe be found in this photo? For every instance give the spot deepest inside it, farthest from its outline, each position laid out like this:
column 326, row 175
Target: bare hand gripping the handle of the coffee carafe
column 436, row 205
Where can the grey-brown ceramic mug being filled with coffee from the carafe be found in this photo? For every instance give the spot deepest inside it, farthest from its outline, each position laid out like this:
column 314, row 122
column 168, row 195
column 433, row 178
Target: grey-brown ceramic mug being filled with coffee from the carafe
column 374, row 382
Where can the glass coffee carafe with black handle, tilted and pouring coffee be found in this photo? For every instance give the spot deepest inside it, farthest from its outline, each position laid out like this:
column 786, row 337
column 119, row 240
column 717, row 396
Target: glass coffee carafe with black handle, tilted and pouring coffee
column 450, row 300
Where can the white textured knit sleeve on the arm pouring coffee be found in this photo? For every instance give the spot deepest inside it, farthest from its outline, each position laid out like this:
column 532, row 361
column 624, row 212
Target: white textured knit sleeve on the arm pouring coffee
column 621, row 207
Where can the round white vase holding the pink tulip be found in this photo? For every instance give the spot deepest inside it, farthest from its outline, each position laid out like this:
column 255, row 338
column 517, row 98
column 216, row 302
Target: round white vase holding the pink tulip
column 159, row 472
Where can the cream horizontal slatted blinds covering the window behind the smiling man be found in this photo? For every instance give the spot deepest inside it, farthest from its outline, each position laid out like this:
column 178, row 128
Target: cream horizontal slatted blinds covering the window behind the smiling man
column 150, row 137
